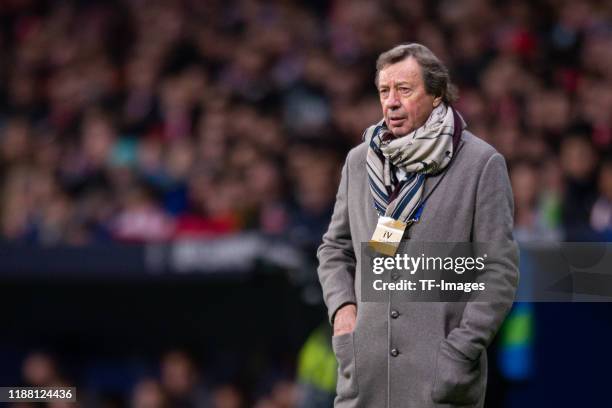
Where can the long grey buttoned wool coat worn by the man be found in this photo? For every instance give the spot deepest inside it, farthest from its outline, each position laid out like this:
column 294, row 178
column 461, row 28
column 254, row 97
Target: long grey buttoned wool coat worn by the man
column 439, row 354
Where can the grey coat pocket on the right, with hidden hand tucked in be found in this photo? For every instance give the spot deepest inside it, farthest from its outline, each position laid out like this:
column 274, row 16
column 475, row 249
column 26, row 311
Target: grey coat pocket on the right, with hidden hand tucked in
column 457, row 379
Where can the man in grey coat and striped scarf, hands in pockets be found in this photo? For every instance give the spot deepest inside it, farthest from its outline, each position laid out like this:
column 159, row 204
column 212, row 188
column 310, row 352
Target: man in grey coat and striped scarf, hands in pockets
column 418, row 163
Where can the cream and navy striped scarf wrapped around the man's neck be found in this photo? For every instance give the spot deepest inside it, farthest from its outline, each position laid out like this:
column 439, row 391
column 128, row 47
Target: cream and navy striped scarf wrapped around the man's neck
column 425, row 151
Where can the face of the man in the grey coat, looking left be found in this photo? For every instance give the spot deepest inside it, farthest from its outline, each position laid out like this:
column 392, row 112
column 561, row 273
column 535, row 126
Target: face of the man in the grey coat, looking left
column 405, row 103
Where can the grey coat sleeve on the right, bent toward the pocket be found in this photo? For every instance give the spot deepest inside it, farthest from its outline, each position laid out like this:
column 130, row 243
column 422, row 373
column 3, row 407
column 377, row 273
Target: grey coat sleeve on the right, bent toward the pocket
column 493, row 224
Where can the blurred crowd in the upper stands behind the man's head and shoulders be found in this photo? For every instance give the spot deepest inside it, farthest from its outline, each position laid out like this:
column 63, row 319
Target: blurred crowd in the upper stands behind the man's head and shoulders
column 146, row 120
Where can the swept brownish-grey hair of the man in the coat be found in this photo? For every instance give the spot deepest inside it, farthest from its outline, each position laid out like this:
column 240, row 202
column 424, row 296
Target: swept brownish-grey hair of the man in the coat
column 435, row 74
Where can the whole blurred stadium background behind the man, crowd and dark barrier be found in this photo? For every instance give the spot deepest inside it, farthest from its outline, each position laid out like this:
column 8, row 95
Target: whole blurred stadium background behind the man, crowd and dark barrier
column 168, row 168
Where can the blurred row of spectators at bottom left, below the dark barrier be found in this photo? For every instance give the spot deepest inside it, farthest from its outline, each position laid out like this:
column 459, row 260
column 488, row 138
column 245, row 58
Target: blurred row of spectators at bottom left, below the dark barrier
column 175, row 381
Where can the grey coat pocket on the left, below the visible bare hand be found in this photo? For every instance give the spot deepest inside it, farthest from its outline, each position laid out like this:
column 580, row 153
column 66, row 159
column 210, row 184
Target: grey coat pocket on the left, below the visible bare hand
column 344, row 349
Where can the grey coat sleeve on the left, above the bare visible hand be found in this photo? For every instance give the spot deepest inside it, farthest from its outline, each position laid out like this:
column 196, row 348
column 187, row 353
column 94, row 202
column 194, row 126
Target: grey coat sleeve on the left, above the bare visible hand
column 336, row 255
